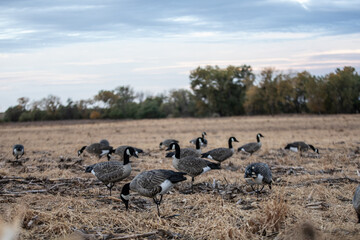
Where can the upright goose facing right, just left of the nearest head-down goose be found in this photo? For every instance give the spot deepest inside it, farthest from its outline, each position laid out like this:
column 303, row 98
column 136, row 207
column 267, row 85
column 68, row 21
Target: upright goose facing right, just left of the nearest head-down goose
column 113, row 171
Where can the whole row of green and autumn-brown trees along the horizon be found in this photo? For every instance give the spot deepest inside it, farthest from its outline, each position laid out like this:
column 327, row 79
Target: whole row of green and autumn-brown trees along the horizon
column 215, row 91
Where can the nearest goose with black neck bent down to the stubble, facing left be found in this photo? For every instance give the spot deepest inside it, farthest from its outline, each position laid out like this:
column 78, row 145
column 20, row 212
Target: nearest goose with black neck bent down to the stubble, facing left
column 150, row 184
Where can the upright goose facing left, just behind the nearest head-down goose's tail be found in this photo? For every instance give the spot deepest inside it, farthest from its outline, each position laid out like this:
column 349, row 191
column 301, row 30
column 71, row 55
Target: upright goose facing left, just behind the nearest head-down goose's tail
column 193, row 166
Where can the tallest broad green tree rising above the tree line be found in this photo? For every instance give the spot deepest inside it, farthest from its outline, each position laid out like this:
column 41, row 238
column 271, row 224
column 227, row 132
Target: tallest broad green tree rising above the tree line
column 221, row 91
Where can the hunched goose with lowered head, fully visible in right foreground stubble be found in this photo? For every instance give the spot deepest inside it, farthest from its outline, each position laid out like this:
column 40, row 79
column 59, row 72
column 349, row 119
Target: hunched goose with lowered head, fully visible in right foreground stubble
column 258, row 173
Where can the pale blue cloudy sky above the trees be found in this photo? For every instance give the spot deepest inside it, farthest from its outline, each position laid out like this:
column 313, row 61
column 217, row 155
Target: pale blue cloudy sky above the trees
column 74, row 49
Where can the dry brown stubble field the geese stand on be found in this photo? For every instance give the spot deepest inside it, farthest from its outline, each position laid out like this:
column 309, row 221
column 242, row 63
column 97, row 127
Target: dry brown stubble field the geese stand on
column 49, row 196
